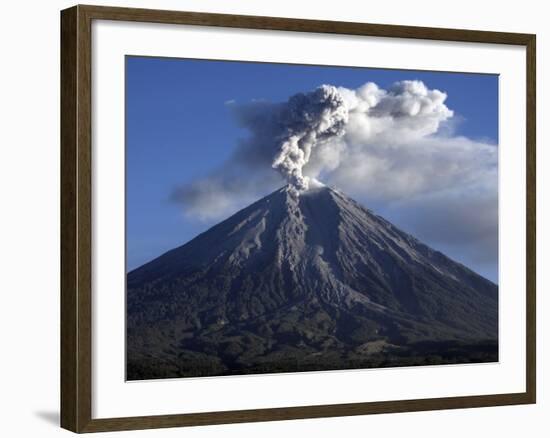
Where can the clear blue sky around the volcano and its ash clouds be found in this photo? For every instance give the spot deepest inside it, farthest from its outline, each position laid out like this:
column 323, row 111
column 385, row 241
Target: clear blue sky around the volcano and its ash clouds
column 180, row 128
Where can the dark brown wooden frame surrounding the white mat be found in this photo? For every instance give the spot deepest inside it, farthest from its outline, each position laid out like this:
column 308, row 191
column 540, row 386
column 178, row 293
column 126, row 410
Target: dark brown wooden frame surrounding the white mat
column 76, row 218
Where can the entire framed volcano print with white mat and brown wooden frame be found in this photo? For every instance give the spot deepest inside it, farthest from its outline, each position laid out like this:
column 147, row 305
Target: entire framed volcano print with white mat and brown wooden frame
column 268, row 218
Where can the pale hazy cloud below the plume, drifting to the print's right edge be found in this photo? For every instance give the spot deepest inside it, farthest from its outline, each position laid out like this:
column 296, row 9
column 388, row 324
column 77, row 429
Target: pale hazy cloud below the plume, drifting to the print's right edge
column 391, row 171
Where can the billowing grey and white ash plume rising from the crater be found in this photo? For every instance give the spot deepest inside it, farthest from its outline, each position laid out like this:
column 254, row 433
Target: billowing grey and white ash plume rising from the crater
column 316, row 132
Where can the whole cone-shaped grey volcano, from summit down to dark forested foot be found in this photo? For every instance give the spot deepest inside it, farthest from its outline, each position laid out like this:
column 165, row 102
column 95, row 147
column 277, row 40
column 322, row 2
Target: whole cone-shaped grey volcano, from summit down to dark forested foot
column 301, row 283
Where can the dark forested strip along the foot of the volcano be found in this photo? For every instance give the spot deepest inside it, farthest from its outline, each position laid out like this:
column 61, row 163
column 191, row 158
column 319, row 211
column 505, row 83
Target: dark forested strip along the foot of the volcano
column 195, row 364
